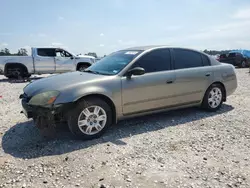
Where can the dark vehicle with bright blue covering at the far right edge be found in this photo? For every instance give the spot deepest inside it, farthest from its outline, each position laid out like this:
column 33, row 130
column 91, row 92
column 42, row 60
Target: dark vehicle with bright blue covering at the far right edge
column 239, row 58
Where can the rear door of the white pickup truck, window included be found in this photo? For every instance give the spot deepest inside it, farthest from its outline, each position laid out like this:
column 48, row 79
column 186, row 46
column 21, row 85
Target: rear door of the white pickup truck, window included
column 44, row 60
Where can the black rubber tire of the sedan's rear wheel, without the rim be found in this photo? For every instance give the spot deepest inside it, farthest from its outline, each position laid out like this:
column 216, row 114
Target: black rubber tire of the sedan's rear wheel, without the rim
column 206, row 104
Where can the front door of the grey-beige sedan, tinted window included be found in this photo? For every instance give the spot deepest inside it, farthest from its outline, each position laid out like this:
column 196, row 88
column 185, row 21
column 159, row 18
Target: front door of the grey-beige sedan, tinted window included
column 154, row 89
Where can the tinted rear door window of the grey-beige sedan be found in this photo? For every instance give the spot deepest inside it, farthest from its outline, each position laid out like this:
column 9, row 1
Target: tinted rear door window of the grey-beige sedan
column 187, row 59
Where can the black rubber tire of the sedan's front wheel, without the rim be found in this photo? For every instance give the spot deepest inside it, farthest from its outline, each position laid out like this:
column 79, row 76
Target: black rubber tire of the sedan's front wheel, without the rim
column 75, row 113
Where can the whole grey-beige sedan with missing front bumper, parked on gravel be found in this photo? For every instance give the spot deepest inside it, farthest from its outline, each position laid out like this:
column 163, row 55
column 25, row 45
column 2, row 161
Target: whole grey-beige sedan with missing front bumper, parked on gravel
column 127, row 83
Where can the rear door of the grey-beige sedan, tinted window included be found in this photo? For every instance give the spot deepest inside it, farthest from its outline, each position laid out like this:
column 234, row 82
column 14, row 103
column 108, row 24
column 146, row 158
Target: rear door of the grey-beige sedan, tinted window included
column 194, row 74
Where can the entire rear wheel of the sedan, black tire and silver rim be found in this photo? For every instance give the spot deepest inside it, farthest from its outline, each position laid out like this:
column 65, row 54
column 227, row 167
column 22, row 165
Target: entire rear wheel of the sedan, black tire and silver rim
column 213, row 98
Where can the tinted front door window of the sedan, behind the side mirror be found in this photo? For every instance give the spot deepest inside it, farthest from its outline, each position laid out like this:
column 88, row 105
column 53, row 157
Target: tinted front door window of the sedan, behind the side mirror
column 155, row 61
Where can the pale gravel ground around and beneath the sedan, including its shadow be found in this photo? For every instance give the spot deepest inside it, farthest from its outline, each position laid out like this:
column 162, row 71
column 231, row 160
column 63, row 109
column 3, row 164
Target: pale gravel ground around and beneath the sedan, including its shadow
column 184, row 148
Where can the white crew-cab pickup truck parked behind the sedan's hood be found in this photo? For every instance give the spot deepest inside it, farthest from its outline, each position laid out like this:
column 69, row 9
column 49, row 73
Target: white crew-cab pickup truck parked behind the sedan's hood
column 43, row 61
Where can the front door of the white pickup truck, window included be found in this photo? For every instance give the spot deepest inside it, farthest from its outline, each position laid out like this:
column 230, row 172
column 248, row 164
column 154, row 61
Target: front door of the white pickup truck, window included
column 64, row 61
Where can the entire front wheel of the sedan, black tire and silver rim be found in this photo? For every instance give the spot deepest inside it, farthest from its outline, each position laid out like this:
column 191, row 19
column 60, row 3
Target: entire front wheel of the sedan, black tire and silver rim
column 90, row 118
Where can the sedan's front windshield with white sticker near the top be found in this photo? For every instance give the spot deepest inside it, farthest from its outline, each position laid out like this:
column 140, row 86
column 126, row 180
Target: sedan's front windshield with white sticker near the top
column 114, row 63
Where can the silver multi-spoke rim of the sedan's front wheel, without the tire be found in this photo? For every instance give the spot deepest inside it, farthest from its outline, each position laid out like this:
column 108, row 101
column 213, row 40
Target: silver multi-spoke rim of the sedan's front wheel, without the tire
column 92, row 120
